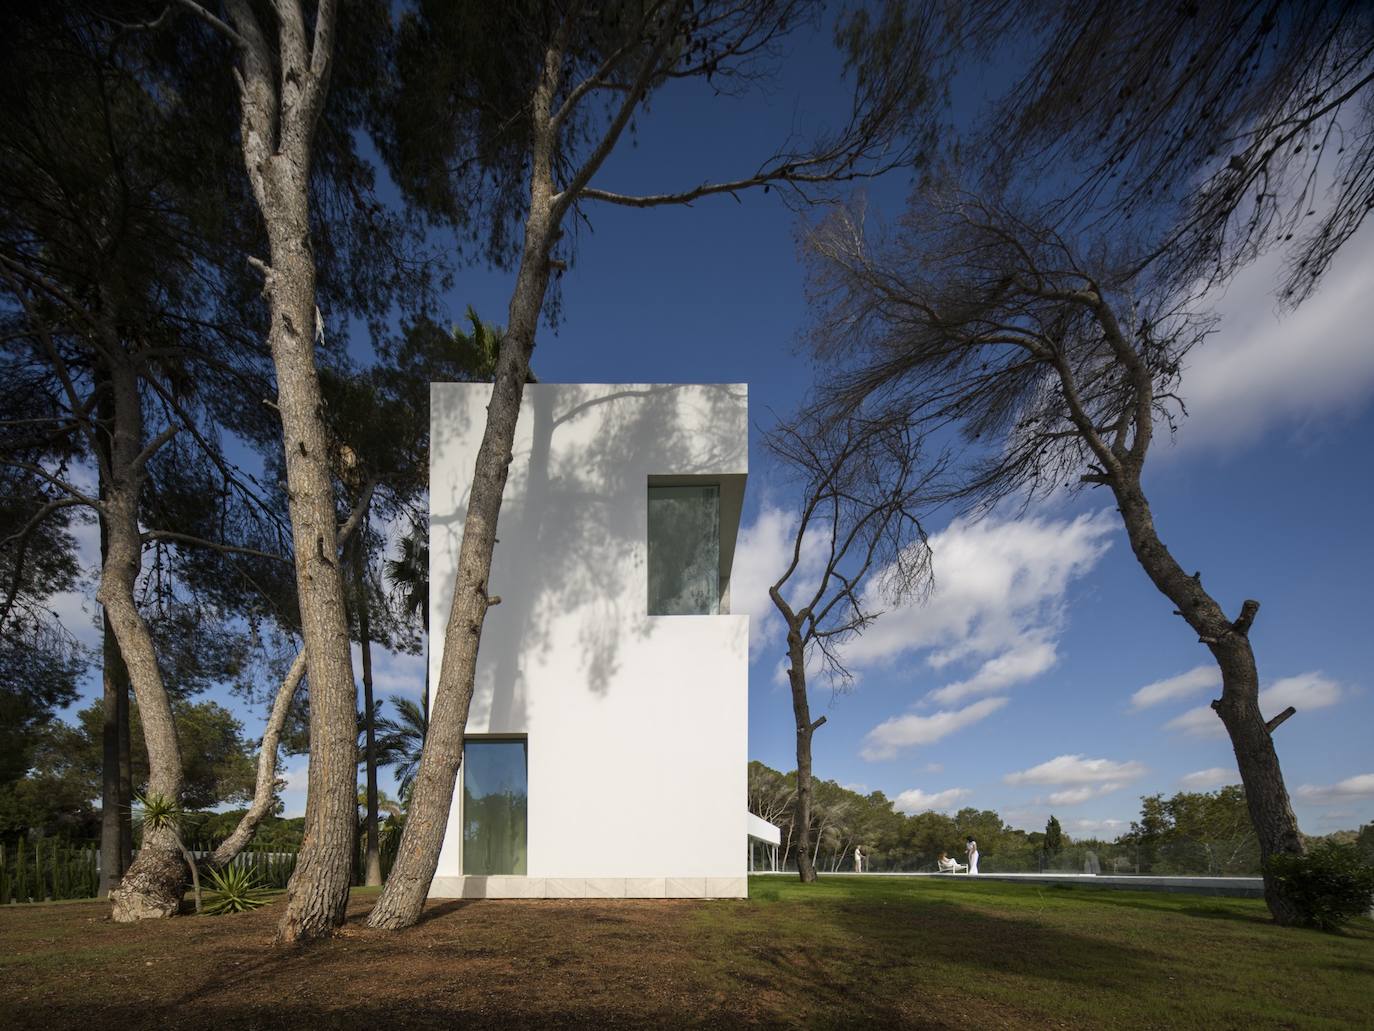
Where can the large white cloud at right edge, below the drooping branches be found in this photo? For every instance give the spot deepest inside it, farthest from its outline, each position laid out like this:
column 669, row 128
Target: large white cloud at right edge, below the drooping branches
column 1261, row 370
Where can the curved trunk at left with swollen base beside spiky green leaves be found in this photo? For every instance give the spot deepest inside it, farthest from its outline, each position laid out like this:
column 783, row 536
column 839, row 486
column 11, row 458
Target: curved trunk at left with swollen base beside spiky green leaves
column 155, row 883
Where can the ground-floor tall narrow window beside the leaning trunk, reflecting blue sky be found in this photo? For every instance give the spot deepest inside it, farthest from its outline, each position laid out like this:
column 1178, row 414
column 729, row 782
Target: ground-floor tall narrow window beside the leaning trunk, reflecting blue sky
column 495, row 808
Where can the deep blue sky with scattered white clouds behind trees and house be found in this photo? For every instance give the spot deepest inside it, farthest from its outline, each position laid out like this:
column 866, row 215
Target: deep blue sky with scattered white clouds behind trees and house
column 1013, row 687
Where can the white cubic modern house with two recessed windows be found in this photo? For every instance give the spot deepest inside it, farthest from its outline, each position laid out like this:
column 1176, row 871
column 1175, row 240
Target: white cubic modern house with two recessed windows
column 607, row 750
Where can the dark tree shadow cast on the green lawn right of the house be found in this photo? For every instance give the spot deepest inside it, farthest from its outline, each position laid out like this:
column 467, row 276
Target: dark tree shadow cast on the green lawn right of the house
column 897, row 957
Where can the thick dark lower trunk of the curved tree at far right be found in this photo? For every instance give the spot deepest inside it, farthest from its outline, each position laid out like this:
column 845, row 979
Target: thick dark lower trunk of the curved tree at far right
column 1266, row 795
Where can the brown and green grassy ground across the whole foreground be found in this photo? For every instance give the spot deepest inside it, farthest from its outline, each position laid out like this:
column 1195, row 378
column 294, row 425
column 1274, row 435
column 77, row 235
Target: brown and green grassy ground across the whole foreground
column 848, row 952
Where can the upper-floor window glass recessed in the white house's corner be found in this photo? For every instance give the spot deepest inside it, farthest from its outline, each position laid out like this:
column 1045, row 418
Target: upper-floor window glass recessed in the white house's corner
column 684, row 551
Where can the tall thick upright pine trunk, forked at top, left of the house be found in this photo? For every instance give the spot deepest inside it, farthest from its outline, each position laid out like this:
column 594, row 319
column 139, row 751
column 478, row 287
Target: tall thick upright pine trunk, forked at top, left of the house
column 281, row 100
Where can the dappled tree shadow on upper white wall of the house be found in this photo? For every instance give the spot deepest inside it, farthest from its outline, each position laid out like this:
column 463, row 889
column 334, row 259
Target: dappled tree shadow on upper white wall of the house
column 575, row 520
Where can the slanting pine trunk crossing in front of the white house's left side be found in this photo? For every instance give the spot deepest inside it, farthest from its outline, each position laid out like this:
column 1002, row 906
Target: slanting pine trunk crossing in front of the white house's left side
column 432, row 797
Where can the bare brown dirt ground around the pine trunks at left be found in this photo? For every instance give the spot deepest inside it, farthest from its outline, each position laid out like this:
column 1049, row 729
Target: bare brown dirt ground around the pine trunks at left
column 469, row 964
